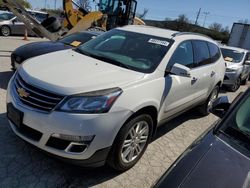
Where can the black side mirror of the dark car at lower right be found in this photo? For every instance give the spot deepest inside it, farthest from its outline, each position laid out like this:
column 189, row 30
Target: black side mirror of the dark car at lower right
column 220, row 106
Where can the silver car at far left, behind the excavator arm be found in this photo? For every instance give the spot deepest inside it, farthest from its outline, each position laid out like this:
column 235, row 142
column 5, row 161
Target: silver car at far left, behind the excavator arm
column 11, row 25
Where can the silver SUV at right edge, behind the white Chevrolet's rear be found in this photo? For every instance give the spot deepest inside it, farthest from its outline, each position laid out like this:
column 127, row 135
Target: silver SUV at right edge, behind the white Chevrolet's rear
column 238, row 67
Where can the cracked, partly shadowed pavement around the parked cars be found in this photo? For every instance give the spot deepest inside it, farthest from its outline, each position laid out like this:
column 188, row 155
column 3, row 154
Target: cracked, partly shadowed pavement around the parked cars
column 24, row 166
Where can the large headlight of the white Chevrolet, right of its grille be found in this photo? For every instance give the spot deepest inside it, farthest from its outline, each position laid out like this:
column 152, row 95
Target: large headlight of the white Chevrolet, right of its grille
column 92, row 102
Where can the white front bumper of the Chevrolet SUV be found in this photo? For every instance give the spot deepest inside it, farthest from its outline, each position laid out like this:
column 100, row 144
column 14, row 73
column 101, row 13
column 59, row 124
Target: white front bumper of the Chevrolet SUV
column 104, row 128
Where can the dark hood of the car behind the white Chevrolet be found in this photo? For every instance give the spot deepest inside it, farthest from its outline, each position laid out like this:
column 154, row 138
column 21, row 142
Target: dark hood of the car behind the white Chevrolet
column 38, row 48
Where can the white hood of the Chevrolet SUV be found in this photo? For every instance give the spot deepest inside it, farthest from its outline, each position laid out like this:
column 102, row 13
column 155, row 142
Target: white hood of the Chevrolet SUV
column 68, row 72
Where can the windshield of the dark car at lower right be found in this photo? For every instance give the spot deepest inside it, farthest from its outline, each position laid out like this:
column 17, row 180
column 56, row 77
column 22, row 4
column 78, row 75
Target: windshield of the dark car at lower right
column 237, row 125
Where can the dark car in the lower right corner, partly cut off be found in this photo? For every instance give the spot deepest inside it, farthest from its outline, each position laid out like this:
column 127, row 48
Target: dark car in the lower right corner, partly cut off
column 221, row 157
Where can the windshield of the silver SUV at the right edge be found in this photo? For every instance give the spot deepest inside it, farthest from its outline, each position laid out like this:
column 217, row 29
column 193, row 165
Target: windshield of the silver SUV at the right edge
column 232, row 55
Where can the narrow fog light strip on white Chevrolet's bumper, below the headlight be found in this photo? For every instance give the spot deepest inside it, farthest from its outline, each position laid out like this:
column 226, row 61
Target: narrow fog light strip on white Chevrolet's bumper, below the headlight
column 73, row 138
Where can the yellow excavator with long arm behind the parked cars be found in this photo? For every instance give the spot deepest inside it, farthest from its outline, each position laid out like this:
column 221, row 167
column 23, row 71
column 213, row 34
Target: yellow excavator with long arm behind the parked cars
column 110, row 14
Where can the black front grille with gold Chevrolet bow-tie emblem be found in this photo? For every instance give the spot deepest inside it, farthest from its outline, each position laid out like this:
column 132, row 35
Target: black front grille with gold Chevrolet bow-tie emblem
column 35, row 97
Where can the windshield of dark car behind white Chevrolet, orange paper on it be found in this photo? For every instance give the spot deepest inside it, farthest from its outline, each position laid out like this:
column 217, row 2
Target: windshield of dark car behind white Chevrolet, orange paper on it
column 77, row 39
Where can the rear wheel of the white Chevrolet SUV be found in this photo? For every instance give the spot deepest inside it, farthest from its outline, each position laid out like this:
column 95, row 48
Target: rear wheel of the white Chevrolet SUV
column 204, row 109
